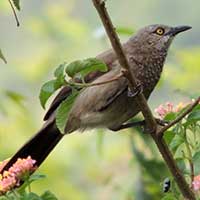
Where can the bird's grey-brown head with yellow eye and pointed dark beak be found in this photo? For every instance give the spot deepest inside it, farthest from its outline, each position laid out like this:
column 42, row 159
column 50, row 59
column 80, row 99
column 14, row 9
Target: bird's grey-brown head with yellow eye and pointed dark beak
column 158, row 37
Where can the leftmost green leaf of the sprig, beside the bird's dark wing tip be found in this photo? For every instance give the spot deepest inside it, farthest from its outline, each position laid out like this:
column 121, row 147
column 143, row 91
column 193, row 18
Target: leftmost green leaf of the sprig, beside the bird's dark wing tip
column 47, row 90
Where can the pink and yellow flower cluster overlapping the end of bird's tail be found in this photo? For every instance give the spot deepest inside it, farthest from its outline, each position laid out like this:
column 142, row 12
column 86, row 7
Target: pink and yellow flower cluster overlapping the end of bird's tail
column 19, row 171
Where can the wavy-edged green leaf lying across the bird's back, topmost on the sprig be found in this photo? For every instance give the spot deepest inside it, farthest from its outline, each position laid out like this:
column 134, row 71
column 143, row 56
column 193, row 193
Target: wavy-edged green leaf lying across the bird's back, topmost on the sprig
column 82, row 68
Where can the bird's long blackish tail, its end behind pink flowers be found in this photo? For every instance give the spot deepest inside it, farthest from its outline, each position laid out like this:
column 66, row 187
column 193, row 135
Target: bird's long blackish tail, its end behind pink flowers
column 39, row 146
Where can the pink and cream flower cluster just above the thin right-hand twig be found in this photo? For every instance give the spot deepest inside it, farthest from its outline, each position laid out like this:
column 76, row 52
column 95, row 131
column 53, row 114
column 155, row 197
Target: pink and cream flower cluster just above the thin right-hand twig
column 167, row 108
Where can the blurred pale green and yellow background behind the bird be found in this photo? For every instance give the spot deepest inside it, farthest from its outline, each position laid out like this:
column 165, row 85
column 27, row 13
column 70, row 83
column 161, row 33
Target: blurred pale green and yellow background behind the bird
column 99, row 164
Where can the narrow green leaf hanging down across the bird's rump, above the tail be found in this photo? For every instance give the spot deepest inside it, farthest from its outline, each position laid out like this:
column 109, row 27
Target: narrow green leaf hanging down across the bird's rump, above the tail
column 63, row 111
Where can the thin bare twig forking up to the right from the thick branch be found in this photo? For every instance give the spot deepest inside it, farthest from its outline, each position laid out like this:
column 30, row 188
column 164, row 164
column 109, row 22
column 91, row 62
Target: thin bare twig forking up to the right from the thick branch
column 179, row 118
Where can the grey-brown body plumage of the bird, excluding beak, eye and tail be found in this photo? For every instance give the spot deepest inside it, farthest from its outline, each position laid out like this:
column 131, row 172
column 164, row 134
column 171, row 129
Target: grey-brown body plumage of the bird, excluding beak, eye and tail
column 109, row 105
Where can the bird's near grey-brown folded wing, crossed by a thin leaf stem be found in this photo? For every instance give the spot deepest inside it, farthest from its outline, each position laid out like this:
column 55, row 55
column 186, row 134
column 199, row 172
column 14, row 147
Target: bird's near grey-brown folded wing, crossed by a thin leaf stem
column 98, row 98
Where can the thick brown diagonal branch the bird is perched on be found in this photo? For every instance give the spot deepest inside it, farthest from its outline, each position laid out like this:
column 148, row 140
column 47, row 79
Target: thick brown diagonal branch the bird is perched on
column 141, row 101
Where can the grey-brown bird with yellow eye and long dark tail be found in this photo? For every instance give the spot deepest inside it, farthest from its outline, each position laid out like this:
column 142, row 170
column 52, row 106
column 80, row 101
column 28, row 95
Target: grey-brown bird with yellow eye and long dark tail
column 109, row 105
